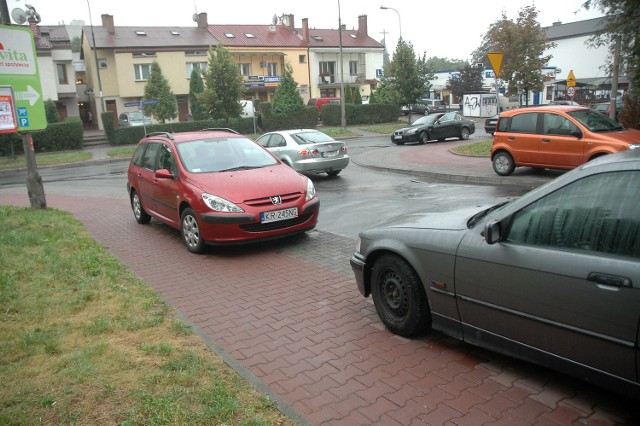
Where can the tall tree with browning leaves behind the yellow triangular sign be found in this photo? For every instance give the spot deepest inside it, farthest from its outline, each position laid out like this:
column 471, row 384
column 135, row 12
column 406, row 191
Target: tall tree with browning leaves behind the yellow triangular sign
column 522, row 43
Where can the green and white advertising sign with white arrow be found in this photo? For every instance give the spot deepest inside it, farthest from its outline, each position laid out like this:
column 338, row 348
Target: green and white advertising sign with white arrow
column 19, row 69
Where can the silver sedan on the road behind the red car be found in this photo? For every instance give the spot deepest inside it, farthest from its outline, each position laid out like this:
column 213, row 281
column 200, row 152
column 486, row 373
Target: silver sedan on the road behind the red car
column 307, row 150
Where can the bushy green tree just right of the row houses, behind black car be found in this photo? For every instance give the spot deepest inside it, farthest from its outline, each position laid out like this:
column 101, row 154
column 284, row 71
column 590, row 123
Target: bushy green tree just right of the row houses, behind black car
column 408, row 75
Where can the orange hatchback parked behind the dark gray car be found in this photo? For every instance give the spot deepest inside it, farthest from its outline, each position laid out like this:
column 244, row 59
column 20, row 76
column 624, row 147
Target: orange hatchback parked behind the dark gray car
column 556, row 137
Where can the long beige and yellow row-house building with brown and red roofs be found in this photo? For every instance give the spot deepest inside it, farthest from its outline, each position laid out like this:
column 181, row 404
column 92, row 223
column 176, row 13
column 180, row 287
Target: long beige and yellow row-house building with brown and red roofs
column 118, row 59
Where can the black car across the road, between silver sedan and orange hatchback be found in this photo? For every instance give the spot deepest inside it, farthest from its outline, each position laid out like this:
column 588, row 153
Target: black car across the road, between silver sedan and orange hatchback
column 438, row 127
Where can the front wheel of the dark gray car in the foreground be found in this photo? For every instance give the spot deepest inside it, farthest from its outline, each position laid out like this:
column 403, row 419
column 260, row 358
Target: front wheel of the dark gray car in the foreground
column 399, row 297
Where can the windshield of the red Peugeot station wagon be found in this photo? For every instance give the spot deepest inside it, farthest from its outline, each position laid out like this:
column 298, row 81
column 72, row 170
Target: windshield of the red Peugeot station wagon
column 221, row 154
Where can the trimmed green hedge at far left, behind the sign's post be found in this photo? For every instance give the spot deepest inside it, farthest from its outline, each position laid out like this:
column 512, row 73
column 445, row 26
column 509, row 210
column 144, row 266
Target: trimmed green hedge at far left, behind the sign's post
column 56, row 137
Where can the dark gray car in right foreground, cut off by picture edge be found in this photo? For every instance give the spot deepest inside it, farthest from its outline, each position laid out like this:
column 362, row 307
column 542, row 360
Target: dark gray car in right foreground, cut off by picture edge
column 551, row 277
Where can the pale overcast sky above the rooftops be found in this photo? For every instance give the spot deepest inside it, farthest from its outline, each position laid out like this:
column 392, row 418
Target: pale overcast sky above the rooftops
column 443, row 28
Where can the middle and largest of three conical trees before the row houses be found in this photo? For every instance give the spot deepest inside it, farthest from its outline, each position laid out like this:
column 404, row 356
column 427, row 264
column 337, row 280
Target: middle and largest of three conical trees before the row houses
column 223, row 85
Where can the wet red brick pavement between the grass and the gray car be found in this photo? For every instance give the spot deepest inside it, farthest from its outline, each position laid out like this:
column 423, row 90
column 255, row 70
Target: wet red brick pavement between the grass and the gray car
column 289, row 315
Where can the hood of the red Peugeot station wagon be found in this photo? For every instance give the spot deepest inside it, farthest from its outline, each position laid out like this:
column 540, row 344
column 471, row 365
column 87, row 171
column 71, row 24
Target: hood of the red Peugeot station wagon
column 240, row 185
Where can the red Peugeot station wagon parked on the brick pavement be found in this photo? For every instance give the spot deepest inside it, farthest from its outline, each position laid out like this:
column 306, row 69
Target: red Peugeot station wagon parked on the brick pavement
column 218, row 187
